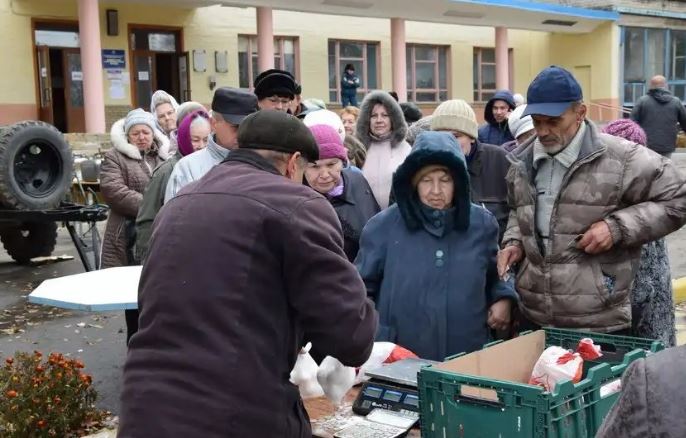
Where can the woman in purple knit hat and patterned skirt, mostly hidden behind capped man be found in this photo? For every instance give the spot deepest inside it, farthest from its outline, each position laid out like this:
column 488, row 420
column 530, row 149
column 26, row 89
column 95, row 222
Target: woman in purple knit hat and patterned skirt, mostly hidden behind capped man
column 651, row 298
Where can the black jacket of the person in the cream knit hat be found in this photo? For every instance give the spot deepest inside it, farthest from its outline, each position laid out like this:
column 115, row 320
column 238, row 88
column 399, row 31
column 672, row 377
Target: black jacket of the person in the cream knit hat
column 487, row 170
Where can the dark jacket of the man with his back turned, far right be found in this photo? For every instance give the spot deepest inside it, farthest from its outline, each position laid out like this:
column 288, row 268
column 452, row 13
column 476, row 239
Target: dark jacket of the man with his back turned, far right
column 660, row 113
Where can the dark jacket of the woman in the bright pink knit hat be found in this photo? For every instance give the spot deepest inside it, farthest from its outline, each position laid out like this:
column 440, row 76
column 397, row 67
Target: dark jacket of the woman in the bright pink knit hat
column 354, row 209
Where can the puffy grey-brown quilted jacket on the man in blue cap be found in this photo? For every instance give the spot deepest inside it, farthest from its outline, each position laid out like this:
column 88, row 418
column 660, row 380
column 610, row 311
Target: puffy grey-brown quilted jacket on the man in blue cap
column 640, row 195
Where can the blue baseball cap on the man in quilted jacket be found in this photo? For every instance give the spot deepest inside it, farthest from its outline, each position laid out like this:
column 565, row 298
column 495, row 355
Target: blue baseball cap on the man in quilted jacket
column 552, row 92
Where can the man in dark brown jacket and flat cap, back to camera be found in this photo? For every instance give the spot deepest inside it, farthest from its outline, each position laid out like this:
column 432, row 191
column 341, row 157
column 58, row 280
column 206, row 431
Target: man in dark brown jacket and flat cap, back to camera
column 245, row 266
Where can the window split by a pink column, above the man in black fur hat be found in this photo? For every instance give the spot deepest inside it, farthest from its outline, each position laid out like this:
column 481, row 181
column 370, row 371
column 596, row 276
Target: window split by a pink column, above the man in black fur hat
column 285, row 58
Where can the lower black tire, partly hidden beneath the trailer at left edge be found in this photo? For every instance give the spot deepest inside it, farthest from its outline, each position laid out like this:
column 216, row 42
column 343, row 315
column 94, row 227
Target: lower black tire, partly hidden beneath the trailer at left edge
column 26, row 241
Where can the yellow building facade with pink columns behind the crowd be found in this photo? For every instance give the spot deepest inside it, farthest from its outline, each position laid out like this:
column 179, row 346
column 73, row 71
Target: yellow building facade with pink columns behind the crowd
column 190, row 47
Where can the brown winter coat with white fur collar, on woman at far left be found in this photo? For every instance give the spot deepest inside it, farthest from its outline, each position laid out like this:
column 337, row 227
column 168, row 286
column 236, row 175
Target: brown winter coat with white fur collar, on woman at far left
column 124, row 175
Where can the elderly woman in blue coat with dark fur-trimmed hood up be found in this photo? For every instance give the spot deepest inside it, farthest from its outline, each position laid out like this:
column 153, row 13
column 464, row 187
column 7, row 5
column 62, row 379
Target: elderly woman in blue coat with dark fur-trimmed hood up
column 429, row 261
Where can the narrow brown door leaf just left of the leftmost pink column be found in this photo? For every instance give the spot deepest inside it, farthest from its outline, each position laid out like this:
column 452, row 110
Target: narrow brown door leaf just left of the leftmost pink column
column 73, row 90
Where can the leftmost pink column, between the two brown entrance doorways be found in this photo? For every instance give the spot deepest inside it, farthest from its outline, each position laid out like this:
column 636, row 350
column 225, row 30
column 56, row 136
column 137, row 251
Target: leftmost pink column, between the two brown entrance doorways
column 91, row 65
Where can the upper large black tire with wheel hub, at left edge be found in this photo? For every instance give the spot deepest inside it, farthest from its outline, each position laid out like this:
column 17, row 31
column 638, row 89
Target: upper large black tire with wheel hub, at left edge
column 35, row 166
